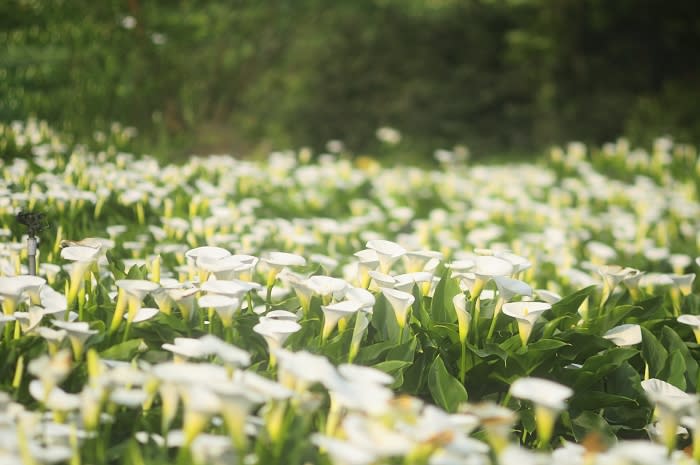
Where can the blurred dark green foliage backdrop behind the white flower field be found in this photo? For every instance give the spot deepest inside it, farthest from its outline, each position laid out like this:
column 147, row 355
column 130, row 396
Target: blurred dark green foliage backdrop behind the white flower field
column 501, row 76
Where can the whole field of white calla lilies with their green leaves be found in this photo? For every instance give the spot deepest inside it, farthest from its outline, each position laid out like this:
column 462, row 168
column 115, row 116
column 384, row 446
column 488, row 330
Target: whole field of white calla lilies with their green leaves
column 328, row 310
